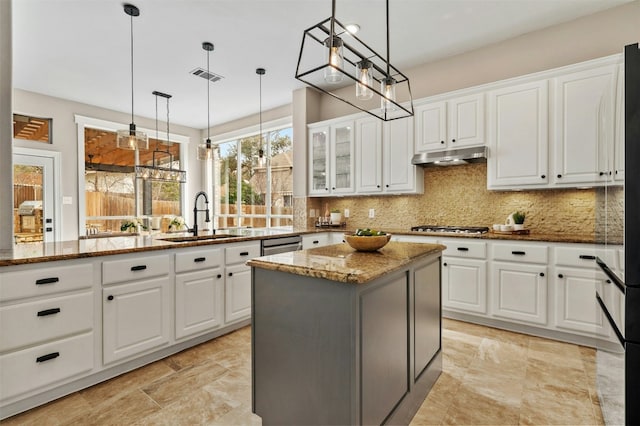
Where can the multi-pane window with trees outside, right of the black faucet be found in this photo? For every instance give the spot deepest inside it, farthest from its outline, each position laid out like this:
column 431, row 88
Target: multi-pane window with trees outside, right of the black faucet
column 253, row 180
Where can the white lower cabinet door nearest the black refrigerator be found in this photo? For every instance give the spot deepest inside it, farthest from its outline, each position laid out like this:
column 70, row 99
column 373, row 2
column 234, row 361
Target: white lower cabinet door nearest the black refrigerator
column 576, row 305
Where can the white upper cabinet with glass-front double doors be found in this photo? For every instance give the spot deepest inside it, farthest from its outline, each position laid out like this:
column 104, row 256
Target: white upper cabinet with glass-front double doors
column 331, row 159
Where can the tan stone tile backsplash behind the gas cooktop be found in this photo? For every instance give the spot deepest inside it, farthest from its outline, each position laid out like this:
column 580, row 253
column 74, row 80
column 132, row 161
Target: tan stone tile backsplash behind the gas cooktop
column 458, row 195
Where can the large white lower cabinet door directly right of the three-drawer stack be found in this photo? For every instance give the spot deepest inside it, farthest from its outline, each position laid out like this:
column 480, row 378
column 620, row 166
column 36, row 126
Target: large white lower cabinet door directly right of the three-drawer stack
column 135, row 318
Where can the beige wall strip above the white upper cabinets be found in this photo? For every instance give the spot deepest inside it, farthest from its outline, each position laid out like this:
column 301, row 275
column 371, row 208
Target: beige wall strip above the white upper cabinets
column 590, row 37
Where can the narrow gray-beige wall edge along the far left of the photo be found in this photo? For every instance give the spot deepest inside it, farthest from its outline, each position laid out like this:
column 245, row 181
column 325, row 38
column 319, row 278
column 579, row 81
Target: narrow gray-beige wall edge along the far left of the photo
column 6, row 100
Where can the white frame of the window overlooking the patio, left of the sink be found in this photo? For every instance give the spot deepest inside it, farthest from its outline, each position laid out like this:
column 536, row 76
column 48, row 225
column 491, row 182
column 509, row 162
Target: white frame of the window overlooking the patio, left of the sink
column 83, row 122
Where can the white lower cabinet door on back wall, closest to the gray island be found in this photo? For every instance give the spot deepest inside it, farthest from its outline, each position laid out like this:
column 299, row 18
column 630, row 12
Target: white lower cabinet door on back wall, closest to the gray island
column 464, row 284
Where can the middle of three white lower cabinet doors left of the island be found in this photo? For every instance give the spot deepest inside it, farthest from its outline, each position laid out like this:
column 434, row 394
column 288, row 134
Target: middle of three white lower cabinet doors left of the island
column 199, row 301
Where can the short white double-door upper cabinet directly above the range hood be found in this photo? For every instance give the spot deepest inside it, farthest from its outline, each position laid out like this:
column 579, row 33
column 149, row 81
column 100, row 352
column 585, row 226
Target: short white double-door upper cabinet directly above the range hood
column 451, row 124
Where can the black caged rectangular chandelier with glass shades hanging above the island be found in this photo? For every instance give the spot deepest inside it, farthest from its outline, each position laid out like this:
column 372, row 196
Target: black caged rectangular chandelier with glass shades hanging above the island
column 336, row 62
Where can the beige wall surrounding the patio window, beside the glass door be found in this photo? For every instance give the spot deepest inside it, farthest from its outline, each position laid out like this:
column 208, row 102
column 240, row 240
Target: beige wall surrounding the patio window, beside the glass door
column 64, row 138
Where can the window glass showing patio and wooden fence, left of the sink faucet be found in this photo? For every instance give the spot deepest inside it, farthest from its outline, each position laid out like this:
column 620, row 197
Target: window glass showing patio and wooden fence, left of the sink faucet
column 111, row 190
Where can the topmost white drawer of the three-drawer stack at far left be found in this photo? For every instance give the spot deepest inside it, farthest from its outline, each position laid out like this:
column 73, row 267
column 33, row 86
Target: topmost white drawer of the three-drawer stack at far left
column 42, row 281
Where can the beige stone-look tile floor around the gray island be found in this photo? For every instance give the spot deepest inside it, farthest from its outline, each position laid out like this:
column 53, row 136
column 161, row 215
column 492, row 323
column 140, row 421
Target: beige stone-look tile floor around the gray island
column 489, row 377
